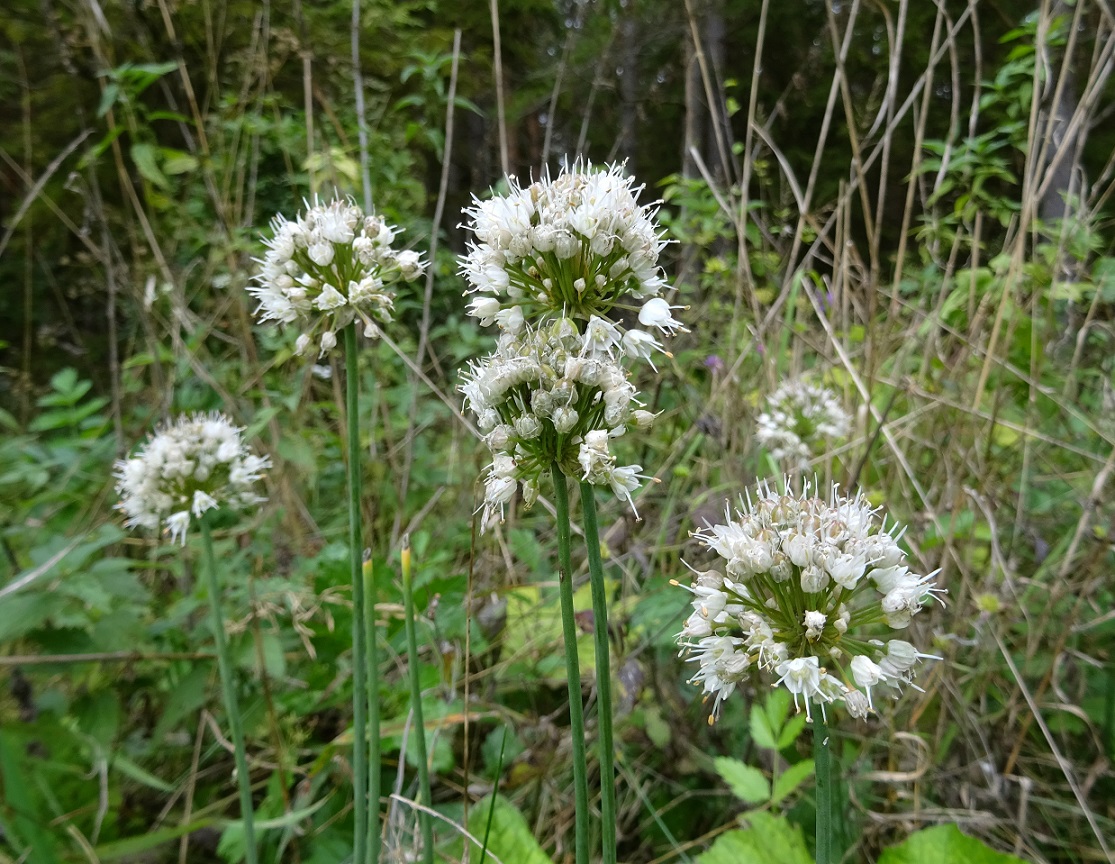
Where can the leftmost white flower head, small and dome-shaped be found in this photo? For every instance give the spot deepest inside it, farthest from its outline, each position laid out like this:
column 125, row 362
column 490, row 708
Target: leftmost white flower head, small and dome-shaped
column 192, row 465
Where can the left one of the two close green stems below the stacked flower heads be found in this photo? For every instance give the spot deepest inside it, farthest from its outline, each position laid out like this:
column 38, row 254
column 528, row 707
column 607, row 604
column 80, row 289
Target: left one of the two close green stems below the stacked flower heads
column 573, row 668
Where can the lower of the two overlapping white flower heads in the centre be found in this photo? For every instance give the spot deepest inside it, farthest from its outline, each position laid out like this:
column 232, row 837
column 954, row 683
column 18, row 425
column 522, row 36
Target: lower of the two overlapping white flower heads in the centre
column 547, row 396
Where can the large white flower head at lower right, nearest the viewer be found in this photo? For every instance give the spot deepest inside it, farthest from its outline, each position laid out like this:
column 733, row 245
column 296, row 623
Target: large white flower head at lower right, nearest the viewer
column 808, row 587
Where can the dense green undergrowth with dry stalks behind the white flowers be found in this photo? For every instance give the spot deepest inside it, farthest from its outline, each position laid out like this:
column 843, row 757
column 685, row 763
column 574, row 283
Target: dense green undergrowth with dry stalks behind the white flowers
column 908, row 202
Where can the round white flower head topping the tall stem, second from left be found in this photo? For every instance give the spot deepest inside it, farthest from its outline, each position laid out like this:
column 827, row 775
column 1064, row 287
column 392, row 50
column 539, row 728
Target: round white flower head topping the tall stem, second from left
column 328, row 268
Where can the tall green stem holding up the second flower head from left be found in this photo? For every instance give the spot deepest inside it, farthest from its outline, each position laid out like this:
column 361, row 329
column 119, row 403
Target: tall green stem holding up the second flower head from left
column 361, row 803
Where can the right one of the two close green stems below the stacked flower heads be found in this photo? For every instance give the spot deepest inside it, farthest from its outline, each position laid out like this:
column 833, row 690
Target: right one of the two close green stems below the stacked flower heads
column 604, row 674
